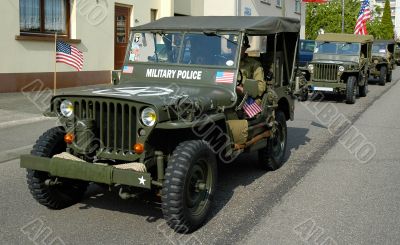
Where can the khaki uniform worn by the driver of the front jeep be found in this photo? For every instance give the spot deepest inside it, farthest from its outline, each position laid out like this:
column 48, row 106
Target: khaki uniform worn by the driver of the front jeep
column 252, row 69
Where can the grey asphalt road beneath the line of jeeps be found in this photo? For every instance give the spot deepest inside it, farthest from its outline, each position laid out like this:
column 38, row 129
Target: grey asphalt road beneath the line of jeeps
column 323, row 193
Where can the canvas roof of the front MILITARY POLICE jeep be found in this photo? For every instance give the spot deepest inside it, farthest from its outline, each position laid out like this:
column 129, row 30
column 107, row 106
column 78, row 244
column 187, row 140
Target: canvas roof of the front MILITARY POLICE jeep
column 249, row 24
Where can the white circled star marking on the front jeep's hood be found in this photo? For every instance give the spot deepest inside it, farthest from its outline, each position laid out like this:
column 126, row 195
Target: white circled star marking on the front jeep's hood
column 134, row 91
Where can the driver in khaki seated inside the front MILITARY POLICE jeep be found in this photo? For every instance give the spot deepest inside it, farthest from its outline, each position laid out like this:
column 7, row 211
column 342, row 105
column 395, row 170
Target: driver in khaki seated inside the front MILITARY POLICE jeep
column 250, row 68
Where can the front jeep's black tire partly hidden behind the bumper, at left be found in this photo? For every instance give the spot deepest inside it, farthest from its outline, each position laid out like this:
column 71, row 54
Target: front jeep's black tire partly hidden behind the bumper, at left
column 59, row 196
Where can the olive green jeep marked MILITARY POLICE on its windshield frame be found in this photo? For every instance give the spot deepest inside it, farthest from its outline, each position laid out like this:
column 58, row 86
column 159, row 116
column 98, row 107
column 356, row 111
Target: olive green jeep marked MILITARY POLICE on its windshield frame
column 173, row 117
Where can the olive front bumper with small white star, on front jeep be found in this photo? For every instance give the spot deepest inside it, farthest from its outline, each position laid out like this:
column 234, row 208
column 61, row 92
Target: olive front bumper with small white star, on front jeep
column 91, row 172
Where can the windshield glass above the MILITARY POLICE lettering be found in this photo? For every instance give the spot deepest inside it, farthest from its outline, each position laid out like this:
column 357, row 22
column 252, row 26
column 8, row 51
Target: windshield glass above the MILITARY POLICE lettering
column 208, row 49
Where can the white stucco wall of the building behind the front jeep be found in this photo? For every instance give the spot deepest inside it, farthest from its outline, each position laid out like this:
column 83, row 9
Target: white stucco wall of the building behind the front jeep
column 96, row 35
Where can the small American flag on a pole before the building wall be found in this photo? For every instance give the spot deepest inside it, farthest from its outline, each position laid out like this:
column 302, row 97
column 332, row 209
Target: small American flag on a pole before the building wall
column 69, row 55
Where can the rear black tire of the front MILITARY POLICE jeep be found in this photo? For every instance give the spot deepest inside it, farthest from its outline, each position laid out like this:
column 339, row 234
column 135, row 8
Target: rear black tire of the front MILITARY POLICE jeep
column 273, row 155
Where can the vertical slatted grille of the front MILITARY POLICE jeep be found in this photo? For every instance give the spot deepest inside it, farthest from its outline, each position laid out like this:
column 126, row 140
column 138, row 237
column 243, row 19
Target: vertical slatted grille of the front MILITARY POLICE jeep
column 115, row 122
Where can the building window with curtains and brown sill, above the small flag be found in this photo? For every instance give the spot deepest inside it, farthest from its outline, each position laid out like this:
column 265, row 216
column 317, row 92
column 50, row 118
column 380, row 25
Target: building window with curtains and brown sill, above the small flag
column 44, row 16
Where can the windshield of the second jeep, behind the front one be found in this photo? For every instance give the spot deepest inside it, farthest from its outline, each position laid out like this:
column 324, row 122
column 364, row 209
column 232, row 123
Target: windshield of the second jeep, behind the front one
column 337, row 48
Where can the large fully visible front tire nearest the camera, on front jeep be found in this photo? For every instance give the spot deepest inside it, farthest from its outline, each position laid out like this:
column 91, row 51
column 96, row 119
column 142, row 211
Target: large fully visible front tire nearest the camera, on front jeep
column 185, row 206
